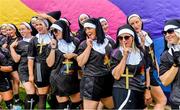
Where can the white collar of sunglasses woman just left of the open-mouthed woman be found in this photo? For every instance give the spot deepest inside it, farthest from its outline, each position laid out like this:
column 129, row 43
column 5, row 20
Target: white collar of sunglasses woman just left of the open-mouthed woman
column 65, row 47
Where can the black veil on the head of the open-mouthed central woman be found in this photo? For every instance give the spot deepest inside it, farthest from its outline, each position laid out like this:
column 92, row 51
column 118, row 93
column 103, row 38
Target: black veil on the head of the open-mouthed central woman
column 99, row 31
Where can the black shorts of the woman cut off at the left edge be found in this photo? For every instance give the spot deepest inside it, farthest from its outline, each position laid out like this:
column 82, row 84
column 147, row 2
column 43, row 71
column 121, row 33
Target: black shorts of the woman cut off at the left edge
column 5, row 84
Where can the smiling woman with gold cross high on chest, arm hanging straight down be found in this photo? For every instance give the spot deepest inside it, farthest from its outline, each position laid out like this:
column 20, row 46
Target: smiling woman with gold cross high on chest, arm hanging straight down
column 39, row 72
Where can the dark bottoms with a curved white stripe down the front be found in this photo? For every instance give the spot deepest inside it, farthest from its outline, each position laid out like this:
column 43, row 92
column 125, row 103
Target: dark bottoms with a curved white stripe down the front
column 128, row 99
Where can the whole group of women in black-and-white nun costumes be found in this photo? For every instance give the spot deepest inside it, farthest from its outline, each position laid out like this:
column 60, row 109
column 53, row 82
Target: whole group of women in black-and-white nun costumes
column 87, row 69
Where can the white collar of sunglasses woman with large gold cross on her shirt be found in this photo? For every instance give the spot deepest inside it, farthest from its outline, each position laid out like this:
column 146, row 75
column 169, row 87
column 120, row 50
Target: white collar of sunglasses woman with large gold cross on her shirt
column 134, row 57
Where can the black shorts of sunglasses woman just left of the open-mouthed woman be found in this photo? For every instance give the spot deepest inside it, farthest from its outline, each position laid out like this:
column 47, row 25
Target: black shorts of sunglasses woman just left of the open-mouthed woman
column 64, row 85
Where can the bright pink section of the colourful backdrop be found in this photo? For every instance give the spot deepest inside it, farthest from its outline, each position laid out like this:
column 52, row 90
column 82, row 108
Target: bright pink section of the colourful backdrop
column 71, row 9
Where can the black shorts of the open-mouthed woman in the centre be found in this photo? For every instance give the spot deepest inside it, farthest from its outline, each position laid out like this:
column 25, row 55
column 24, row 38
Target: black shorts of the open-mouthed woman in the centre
column 95, row 88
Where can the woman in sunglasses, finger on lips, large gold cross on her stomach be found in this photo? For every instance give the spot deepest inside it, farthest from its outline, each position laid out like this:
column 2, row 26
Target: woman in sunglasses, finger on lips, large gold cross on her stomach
column 128, row 69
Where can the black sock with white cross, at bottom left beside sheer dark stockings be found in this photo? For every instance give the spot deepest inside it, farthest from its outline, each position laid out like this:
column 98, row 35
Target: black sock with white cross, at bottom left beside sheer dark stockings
column 29, row 101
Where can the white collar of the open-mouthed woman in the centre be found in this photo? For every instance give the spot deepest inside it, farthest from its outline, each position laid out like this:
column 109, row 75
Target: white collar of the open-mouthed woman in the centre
column 100, row 47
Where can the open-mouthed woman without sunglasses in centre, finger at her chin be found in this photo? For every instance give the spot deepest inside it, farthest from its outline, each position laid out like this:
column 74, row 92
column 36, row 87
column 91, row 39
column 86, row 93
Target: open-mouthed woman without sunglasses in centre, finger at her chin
column 96, row 84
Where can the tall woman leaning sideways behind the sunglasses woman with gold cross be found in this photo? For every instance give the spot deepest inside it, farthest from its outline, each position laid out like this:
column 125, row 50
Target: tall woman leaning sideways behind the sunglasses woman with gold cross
column 147, row 44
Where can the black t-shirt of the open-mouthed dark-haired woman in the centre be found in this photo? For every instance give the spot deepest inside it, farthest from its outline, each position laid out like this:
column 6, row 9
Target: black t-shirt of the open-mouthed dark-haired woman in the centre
column 95, row 65
